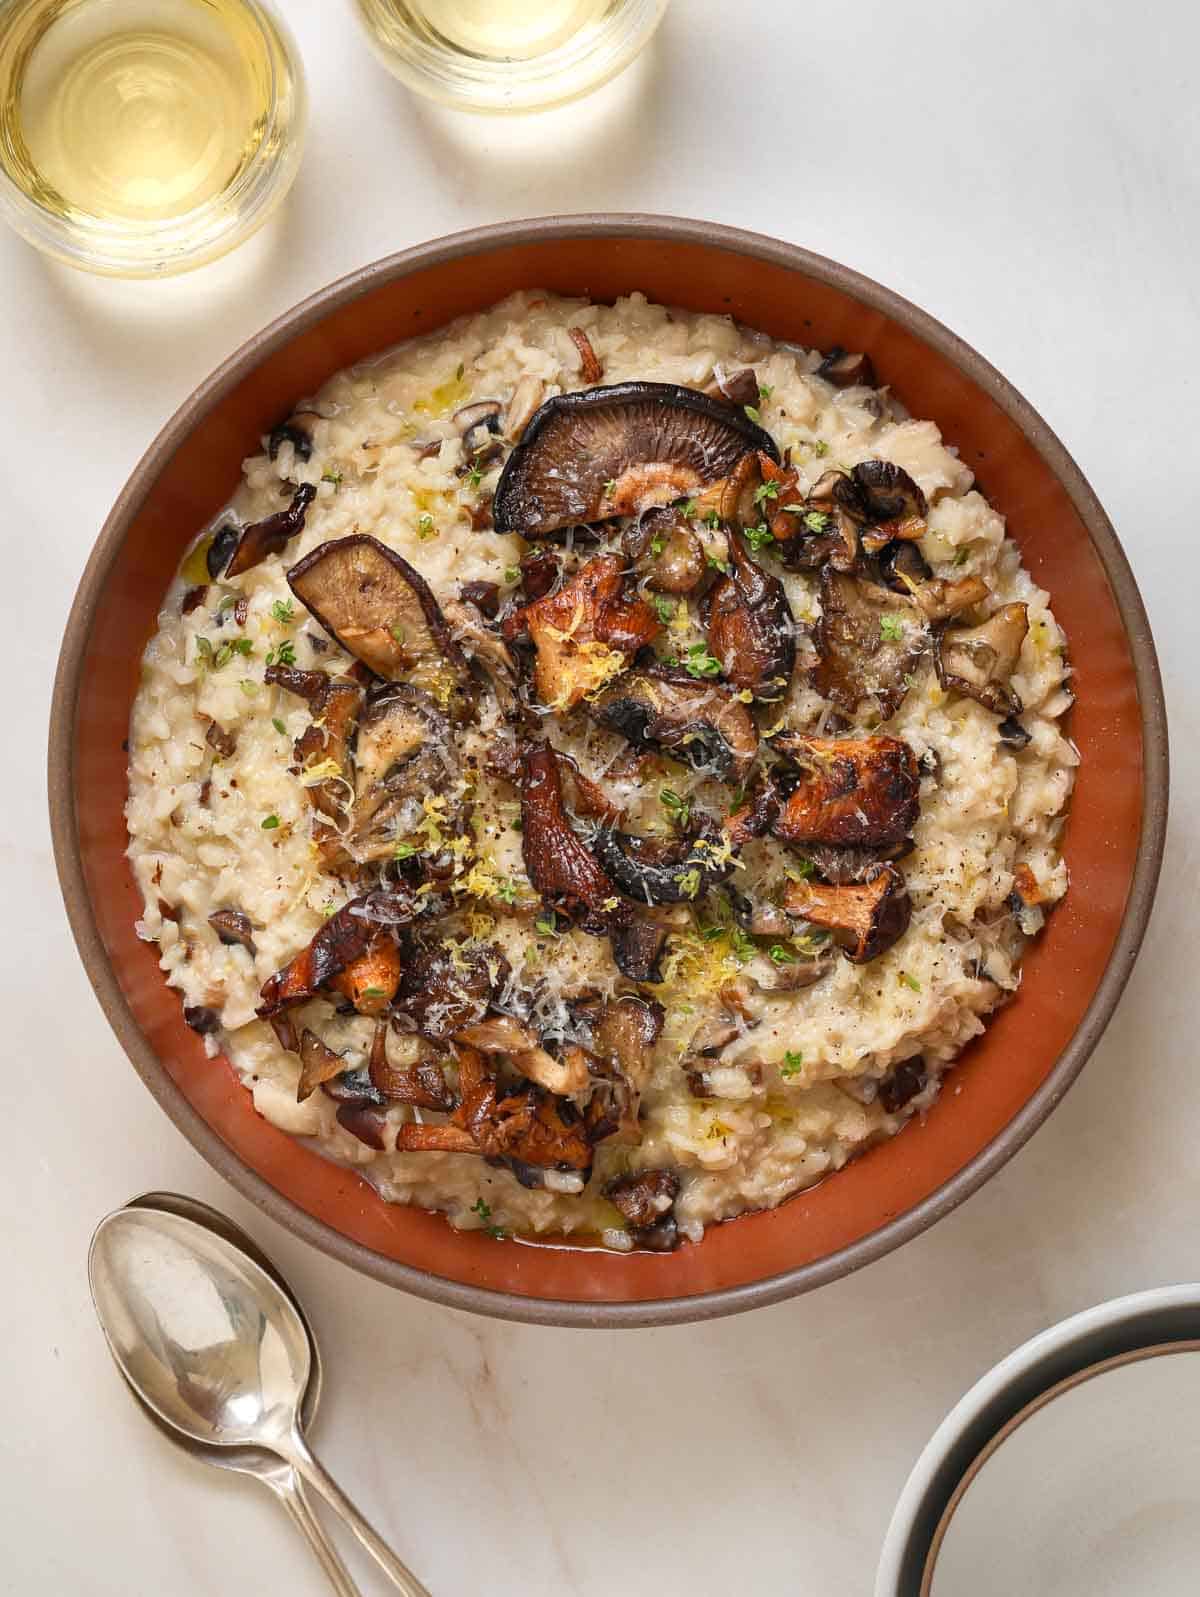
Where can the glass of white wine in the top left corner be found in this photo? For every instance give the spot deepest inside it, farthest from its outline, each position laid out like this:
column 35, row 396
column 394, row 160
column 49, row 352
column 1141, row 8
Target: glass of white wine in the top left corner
column 141, row 138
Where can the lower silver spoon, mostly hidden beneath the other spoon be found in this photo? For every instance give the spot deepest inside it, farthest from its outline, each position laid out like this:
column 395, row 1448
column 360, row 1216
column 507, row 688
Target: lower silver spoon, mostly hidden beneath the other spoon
column 253, row 1460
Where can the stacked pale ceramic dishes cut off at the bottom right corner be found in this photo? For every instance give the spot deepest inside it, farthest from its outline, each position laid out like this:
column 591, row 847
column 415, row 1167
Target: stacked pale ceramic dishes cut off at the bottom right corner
column 1075, row 1465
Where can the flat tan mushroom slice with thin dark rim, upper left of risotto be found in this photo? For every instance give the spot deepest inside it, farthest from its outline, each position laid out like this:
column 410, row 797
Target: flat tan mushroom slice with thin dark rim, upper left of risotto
column 378, row 608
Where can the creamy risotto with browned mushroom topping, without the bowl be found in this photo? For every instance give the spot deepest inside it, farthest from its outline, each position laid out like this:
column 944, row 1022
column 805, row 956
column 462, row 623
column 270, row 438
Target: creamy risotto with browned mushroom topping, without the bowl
column 600, row 771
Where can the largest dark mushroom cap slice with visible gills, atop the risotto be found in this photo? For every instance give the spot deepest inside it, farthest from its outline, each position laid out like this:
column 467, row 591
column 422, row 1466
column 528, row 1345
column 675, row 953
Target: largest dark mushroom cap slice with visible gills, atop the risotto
column 618, row 451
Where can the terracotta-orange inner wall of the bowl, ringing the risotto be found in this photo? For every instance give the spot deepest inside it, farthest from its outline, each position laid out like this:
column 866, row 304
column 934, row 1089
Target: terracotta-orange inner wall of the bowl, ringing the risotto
column 792, row 298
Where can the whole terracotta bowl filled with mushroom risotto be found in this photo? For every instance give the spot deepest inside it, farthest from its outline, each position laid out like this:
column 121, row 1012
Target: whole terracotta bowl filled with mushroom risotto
column 608, row 771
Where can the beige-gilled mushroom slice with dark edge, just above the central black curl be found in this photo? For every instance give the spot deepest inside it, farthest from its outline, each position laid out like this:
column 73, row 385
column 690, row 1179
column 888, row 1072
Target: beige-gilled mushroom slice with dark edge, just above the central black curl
column 699, row 723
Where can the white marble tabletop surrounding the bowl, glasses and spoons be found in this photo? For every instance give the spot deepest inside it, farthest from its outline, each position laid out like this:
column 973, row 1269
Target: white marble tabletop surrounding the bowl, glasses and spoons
column 1027, row 172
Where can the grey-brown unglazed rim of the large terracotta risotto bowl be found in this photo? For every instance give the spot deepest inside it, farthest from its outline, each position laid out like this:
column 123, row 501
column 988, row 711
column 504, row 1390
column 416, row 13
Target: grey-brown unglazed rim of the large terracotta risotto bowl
column 725, row 1301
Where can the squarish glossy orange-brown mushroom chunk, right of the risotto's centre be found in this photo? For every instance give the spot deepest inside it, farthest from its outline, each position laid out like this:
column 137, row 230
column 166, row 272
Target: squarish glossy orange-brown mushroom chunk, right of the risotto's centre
column 856, row 791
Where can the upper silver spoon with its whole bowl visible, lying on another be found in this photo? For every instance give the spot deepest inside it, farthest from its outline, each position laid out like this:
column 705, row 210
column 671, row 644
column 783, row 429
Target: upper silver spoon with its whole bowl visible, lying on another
column 213, row 1344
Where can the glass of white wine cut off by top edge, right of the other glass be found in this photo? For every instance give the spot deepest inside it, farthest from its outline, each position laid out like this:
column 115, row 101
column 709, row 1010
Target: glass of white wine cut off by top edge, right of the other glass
column 509, row 55
